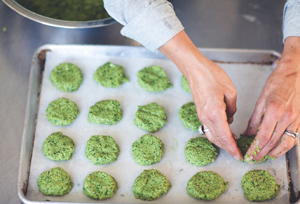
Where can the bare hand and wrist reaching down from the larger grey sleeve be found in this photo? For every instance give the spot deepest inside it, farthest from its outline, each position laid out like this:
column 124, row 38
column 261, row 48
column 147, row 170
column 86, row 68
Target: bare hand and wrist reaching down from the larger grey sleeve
column 213, row 92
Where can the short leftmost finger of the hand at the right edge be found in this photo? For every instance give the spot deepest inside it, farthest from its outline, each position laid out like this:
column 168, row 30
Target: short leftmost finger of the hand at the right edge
column 255, row 120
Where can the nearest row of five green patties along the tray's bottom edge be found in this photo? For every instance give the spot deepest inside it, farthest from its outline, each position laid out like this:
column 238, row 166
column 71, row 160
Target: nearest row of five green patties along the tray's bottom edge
column 258, row 185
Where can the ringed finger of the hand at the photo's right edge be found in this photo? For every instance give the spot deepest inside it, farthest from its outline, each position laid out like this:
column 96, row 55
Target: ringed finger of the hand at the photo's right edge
column 286, row 143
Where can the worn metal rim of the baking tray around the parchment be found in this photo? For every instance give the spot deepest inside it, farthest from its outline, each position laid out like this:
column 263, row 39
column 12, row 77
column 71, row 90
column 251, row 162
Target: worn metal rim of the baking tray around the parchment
column 264, row 58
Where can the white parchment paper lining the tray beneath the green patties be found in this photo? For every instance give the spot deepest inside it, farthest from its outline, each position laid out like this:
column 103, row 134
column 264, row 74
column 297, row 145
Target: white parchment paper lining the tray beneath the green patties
column 248, row 79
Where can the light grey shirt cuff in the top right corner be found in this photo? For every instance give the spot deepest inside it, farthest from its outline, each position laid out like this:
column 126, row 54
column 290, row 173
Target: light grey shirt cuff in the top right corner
column 291, row 19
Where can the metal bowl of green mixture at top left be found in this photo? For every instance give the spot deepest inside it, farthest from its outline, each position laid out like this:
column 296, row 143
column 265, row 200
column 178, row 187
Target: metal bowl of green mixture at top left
column 63, row 13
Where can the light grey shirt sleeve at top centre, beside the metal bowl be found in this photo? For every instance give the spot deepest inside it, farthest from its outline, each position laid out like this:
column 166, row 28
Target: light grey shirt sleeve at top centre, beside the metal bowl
column 150, row 22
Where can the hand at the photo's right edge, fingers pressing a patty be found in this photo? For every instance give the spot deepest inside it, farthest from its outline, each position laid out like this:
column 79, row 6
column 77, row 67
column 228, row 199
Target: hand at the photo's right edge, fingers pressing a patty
column 278, row 107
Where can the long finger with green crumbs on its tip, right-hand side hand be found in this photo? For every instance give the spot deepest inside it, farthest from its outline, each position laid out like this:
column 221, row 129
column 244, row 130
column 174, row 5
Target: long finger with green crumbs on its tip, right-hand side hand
column 263, row 135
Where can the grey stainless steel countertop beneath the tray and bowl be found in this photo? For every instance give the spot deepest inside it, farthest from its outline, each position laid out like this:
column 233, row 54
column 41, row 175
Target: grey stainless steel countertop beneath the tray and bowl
column 247, row 24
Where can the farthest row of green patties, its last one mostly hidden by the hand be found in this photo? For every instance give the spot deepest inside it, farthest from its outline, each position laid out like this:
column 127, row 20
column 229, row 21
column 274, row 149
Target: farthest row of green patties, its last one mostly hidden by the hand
column 68, row 77
